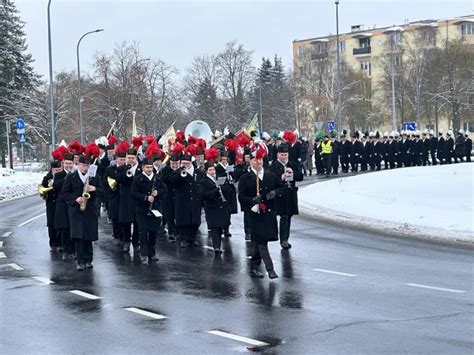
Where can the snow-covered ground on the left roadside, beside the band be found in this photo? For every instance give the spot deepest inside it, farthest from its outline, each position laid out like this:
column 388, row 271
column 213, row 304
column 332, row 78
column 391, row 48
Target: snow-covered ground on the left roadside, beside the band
column 18, row 183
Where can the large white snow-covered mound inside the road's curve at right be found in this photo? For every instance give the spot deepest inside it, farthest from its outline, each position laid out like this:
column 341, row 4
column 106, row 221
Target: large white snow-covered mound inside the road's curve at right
column 434, row 202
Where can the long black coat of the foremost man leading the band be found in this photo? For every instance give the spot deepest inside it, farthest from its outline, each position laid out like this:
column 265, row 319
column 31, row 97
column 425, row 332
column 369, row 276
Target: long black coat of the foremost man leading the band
column 263, row 225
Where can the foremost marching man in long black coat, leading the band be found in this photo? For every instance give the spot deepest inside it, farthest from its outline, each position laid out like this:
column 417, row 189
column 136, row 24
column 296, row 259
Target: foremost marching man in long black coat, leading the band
column 257, row 190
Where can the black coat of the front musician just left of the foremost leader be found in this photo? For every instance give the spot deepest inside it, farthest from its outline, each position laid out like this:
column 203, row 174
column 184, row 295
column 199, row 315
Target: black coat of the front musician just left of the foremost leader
column 217, row 210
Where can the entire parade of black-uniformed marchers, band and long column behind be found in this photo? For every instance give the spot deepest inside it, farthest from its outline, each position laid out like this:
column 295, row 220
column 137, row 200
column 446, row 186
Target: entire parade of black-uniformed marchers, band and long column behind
column 162, row 186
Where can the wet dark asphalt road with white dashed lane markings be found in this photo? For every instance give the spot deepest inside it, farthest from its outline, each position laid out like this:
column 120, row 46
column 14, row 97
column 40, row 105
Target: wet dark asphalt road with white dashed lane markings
column 339, row 291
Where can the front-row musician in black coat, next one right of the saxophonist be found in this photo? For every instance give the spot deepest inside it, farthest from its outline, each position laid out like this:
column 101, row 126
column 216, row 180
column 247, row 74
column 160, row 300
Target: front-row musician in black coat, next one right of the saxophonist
column 148, row 191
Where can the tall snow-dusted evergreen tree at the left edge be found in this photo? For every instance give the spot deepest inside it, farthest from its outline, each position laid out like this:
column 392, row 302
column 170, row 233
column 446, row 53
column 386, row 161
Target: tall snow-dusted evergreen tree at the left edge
column 17, row 78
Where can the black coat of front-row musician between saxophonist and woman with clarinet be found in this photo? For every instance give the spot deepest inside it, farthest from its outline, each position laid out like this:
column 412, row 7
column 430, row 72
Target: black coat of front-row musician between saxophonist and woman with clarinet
column 141, row 189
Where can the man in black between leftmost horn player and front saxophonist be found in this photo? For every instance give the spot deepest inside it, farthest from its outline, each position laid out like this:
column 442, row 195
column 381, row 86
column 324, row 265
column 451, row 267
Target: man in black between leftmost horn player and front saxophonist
column 61, row 217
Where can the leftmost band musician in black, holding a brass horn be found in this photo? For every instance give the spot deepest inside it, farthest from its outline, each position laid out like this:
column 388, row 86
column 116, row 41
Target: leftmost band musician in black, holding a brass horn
column 53, row 180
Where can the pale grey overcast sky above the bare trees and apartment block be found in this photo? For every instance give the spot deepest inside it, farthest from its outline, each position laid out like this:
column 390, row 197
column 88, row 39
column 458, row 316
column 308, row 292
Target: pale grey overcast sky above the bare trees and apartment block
column 176, row 31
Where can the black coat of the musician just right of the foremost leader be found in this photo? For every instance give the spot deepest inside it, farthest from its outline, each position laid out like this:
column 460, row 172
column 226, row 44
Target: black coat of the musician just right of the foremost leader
column 286, row 204
